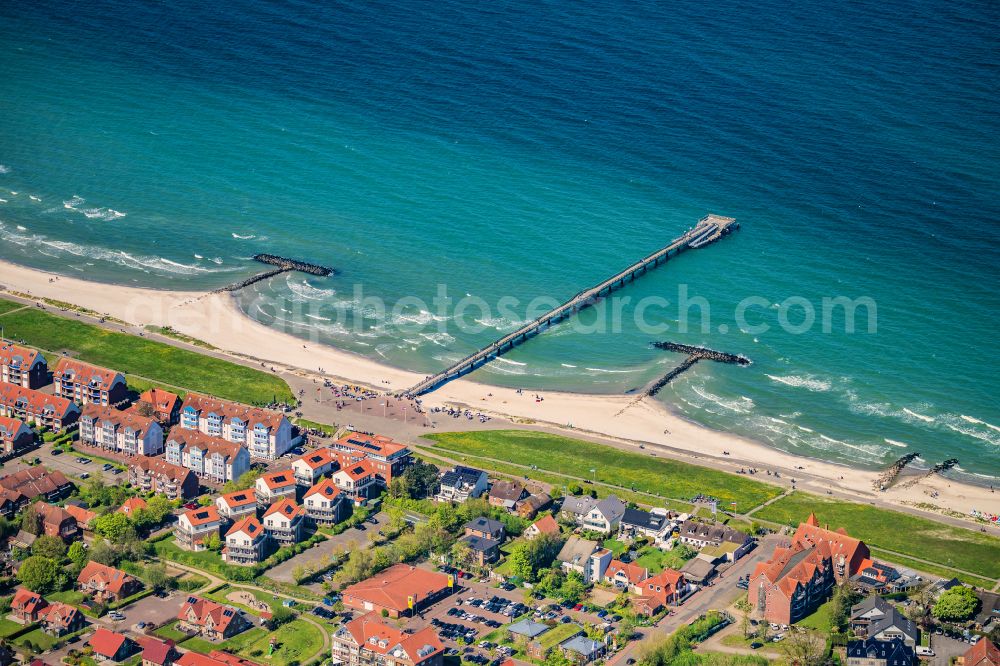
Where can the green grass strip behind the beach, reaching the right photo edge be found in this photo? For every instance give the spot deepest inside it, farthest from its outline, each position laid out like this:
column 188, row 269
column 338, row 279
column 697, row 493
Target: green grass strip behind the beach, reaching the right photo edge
column 950, row 546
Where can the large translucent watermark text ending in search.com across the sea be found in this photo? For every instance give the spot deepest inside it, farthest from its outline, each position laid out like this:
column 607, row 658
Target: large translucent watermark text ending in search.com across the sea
column 651, row 315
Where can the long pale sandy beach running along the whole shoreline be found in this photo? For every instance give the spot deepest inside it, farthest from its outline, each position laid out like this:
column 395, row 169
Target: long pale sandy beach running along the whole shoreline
column 215, row 319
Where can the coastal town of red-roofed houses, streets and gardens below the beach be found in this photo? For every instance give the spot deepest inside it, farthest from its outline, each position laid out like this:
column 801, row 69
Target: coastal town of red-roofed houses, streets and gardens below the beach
column 166, row 527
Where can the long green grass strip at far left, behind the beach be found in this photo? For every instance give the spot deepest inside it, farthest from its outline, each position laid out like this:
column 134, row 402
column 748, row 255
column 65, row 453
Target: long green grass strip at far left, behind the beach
column 153, row 360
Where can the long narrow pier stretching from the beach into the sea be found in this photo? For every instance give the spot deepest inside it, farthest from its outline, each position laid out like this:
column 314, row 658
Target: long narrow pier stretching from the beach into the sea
column 708, row 230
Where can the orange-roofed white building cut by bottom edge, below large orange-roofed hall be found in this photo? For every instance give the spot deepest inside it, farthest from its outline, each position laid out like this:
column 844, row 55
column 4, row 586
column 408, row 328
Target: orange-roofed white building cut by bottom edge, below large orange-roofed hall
column 367, row 641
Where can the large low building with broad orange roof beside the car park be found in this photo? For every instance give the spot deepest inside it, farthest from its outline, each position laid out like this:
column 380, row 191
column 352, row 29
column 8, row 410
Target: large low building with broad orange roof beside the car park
column 400, row 590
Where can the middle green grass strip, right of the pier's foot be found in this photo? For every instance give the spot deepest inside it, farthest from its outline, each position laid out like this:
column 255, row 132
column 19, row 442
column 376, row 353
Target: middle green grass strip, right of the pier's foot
column 670, row 479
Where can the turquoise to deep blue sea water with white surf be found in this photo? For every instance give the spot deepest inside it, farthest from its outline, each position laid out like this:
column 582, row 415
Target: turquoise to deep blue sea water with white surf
column 528, row 150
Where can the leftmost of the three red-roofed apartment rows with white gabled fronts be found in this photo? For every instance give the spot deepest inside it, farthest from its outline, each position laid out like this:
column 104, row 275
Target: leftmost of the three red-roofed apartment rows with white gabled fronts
column 127, row 433
